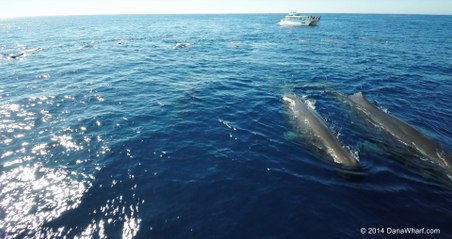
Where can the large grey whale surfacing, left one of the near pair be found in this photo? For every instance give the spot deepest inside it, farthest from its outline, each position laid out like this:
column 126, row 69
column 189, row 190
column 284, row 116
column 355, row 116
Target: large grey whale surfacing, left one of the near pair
column 309, row 123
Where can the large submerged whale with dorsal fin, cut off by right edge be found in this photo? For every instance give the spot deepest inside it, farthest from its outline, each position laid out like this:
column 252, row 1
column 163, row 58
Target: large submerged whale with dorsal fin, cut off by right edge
column 401, row 131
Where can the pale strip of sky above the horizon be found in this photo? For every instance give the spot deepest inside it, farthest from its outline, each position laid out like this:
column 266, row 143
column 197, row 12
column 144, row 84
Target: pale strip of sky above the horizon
column 16, row 8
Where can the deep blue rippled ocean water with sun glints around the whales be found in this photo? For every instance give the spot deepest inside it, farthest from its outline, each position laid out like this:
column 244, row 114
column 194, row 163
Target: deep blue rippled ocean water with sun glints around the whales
column 107, row 130
